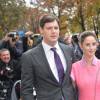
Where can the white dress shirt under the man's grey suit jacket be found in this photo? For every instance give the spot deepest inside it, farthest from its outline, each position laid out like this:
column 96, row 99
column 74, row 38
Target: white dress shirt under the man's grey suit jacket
column 50, row 58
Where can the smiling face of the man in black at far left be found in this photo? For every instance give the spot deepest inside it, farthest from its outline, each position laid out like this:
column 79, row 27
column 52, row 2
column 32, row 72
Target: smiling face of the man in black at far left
column 5, row 56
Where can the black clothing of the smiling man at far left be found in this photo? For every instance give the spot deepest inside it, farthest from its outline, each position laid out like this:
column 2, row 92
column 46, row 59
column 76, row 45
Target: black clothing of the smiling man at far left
column 9, row 74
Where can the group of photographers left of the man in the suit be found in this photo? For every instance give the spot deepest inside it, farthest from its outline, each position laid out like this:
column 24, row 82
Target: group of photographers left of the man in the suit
column 11, row 49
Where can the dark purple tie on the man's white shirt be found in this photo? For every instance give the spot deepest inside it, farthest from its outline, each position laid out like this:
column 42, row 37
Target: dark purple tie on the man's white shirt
column 59, row 65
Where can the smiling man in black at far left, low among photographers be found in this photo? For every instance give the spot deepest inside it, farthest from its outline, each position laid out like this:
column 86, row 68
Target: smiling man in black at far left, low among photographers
column 9, row 73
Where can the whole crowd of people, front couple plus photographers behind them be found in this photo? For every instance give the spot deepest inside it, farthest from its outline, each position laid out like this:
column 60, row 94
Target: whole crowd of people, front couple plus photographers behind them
column 55, row 68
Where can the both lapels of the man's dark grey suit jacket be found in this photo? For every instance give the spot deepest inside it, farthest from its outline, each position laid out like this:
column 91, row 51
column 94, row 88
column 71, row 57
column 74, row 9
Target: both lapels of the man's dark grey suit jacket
column 42, row 59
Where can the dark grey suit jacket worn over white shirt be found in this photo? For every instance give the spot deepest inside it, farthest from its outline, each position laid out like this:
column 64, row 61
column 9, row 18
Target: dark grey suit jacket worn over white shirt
column 36, row 72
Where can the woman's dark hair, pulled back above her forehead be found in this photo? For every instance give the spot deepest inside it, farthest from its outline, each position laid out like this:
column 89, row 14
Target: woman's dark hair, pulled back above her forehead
column 85, row 34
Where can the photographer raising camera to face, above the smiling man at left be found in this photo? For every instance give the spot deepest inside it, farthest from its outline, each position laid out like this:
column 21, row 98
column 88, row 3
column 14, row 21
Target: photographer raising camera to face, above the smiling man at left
column 9, row 42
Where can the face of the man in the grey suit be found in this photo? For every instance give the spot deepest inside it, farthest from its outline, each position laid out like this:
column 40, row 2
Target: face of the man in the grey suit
column 50, row 32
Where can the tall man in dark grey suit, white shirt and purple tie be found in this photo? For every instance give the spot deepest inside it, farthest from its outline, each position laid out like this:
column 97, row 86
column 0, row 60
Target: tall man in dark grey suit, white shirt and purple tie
column 39, row 68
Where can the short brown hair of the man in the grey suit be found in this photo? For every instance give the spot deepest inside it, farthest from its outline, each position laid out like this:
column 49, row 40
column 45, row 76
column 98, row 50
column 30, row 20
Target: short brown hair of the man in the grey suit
column 47, row 18
